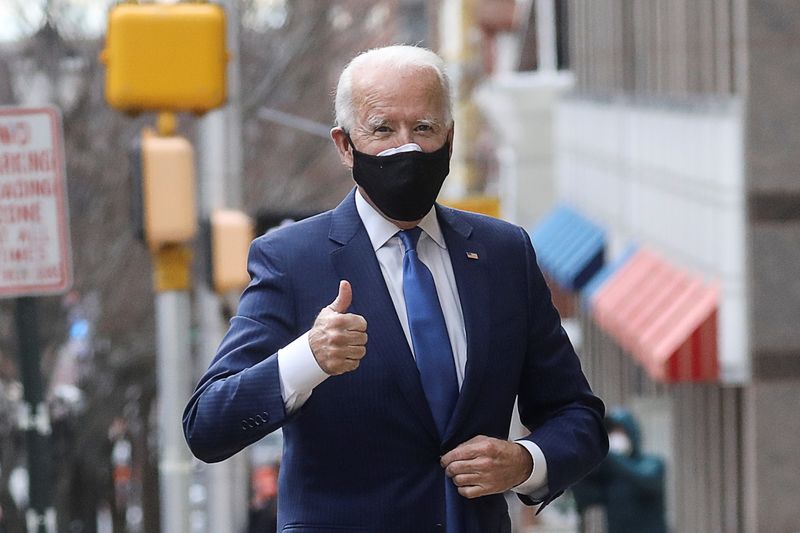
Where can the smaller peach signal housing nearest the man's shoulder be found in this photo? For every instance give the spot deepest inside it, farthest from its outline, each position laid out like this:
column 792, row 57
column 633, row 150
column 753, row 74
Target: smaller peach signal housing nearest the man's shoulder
column 231, row 234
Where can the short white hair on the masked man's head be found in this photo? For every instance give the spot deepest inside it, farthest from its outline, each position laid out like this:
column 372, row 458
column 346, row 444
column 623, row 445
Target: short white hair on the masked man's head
column 397, row 57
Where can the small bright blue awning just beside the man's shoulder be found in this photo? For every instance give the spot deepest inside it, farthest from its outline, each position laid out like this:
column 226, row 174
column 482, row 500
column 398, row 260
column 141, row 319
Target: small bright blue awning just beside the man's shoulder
column 569, row 247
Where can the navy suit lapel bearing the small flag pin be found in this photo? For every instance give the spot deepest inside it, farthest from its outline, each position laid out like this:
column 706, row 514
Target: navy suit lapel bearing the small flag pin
column 472, row 280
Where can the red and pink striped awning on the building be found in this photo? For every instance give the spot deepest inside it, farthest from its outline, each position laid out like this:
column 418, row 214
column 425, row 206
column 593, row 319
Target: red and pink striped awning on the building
column 663, row 316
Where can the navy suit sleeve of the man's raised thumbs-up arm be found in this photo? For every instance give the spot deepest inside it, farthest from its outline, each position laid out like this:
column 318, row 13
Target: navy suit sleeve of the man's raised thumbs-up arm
column 238, row 400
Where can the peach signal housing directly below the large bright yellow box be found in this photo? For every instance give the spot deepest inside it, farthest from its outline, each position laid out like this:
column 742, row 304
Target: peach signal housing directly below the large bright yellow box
column 168, row 190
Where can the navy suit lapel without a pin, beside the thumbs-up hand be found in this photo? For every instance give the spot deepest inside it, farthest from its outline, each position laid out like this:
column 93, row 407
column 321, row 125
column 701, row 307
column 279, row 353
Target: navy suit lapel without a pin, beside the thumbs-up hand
column 356, row 262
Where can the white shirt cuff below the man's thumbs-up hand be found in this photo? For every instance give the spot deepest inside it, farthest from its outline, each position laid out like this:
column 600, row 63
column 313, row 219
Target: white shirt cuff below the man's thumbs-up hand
column 299, row 373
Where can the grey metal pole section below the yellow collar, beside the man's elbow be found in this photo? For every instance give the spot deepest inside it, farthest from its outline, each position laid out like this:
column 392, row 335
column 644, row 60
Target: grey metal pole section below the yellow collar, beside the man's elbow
column 174, row 387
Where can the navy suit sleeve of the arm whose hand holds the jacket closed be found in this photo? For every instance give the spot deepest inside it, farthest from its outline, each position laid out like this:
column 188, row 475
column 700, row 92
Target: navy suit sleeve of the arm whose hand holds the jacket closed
column 555, row 401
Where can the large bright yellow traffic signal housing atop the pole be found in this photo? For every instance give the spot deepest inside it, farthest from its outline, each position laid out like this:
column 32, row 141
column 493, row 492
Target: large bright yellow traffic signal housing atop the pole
column 165, row 57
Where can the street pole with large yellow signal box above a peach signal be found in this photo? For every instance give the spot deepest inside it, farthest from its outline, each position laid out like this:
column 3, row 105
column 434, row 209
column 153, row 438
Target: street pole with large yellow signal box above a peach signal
column 181, row 69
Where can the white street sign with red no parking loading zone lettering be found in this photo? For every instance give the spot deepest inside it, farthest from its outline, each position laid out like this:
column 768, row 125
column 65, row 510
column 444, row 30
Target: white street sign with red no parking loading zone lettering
column 35, row 254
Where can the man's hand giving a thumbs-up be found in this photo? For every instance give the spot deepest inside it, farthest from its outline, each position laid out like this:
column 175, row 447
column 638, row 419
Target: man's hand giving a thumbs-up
column 338, row 339
